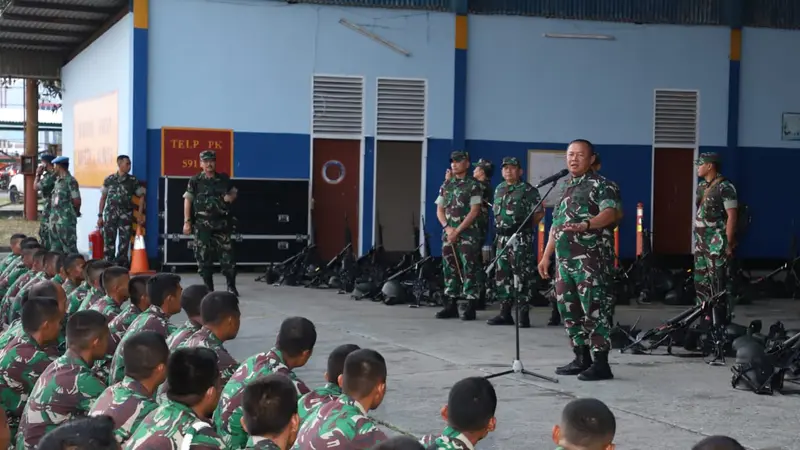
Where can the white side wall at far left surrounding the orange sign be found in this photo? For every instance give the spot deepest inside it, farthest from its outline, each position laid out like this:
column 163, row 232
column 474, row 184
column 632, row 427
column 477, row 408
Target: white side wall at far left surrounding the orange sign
column 103, row 67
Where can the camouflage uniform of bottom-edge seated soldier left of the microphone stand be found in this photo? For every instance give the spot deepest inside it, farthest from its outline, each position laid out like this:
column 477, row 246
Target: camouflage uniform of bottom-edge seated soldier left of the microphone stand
column 340, row 424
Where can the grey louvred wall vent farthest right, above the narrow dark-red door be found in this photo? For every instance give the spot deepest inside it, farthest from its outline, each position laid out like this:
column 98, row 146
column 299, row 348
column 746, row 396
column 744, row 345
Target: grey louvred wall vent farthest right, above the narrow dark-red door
column 675, row 118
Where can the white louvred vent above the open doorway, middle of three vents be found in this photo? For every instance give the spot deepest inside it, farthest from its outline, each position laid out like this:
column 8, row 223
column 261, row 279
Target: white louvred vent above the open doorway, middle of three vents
column 401, row 108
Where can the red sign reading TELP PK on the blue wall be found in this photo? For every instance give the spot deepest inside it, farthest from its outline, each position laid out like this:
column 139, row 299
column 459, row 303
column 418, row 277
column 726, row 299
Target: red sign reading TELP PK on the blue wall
column 181, row 147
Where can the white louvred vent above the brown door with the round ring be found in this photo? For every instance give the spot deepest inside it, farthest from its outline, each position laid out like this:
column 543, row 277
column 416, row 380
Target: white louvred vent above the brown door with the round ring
column 338, row 105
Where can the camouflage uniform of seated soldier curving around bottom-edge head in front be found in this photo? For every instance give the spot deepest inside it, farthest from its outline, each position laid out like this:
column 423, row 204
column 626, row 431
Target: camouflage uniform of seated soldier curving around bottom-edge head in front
column 227, row 417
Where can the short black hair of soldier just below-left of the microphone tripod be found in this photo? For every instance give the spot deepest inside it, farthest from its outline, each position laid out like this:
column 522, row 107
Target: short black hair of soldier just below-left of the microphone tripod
column 471, row 404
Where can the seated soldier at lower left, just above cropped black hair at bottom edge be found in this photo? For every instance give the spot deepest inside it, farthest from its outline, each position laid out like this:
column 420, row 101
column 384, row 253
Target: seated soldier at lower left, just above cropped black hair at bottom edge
column 68, row 387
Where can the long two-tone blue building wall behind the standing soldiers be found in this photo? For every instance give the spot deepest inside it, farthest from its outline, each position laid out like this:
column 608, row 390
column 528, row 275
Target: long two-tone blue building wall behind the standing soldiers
column 251, row 71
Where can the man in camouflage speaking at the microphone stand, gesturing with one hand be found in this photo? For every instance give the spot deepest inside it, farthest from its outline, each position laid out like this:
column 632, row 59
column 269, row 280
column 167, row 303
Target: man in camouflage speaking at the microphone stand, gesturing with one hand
column 587, row 206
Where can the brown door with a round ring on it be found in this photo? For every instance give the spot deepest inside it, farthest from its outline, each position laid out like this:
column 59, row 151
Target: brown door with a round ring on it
column 335, row 193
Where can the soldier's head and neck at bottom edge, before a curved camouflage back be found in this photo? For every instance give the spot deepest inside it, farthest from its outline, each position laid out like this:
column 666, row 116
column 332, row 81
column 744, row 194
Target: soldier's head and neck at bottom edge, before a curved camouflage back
column 269, row 406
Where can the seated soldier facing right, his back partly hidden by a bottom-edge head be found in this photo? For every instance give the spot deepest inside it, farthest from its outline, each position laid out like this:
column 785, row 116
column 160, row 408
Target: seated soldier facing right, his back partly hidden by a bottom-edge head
column 294, row 345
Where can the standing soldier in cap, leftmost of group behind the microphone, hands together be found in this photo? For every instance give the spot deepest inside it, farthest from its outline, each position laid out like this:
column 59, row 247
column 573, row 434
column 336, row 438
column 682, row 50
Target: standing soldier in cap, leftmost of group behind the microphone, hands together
column 459, row 204
